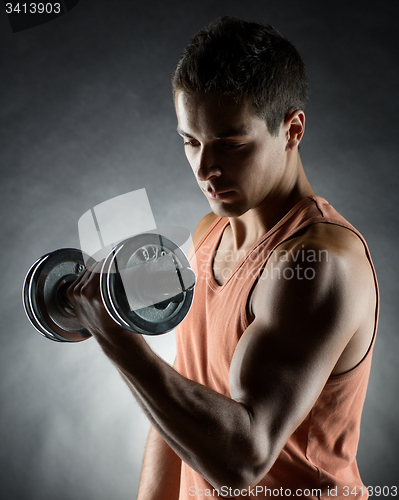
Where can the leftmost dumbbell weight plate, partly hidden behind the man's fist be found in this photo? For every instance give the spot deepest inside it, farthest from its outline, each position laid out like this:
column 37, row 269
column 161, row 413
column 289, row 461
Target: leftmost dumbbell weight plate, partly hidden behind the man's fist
column 44, row 305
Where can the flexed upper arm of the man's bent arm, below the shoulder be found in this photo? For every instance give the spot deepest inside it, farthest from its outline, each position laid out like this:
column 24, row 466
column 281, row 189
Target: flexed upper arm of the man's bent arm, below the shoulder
column 286, row 355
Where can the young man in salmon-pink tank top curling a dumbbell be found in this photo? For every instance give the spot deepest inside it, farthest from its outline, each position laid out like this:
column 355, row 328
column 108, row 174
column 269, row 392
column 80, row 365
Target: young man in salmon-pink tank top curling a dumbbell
column 273, row 359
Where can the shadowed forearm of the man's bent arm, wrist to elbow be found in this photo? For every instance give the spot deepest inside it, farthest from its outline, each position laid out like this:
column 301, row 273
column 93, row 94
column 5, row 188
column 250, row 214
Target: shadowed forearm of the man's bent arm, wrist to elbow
column 210, row 432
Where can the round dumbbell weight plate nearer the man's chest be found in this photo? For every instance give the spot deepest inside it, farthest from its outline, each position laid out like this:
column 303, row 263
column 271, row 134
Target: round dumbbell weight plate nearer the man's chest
column 153, row 319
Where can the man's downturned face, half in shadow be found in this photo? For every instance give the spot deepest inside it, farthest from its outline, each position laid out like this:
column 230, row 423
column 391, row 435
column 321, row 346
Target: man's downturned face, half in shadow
column 236, row 162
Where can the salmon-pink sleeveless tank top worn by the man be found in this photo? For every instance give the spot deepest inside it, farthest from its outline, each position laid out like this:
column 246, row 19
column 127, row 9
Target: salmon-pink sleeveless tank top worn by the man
column 319, row 459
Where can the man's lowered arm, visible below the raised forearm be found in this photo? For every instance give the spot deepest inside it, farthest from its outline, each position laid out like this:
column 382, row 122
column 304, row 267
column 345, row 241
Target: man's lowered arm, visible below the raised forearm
column 160, row 475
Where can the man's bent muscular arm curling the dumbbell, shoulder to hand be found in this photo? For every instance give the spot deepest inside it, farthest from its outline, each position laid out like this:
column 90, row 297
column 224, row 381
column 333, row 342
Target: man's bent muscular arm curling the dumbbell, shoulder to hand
column 279, row 368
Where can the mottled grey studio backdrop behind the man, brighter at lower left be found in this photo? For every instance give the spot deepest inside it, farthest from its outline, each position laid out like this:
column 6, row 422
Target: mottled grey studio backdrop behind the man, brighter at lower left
column 86, row 115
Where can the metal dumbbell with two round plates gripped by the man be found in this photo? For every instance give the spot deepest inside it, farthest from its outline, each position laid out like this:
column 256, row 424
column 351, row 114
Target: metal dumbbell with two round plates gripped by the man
column 146, row 285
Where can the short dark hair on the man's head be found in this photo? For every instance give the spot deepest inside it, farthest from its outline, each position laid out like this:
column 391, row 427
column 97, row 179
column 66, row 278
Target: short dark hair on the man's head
column 246, row 60
